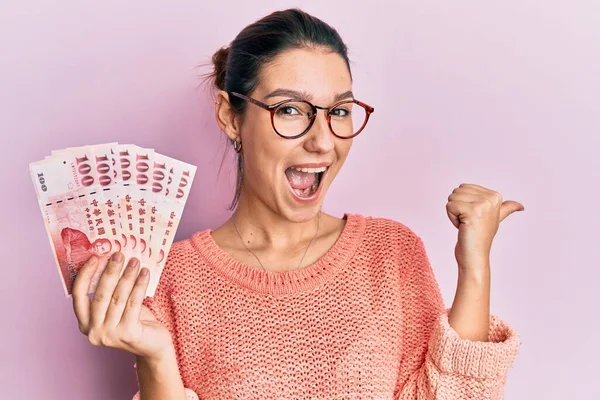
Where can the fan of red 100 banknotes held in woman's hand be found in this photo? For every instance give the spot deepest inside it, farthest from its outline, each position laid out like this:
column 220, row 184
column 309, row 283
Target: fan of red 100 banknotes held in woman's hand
column 100, row 199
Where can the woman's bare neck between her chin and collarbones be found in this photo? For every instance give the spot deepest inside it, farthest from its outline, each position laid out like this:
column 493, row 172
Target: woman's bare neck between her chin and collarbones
column 262, row 227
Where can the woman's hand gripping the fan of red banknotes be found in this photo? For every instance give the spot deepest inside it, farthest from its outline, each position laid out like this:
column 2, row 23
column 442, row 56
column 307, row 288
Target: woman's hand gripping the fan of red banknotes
column 116, row 317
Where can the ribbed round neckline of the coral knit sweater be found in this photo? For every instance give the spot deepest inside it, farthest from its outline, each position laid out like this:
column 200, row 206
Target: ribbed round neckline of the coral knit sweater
column 287, row 282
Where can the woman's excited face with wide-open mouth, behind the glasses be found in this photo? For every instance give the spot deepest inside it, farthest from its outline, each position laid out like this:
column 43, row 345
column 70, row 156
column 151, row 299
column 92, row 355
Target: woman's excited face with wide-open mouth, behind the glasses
column 272, row 164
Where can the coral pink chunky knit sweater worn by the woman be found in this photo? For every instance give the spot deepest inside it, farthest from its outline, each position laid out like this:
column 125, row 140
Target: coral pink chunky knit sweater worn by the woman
column 366, row 321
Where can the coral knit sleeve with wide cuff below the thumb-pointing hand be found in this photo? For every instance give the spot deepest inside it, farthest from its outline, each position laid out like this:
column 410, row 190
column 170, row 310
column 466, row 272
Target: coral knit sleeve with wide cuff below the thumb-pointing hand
column 436, row 363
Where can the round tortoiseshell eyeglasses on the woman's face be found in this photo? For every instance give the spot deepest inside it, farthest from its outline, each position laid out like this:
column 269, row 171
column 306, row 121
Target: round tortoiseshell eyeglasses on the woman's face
column 292, row 118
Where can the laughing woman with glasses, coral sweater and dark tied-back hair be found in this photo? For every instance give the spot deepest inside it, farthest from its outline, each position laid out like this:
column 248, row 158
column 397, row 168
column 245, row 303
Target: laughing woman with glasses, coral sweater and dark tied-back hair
column 284, row 301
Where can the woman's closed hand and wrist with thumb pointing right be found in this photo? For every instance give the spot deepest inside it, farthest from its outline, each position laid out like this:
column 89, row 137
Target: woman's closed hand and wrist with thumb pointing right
column 477, row 213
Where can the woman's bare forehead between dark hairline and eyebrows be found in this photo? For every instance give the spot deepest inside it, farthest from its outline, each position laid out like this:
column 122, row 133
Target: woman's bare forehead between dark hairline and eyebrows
column 318, row 72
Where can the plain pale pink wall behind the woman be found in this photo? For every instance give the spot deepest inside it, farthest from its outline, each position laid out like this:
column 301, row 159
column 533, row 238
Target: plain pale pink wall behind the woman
column 504, row 94
